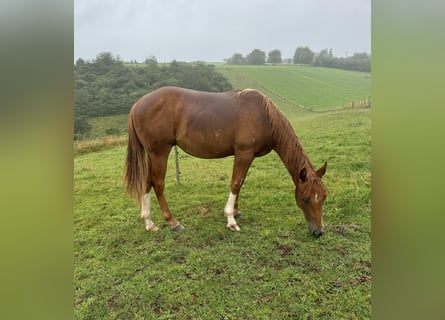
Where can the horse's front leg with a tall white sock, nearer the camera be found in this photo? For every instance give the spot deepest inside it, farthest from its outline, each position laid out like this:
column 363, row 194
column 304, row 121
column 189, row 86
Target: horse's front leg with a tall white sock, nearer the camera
column 240, row 166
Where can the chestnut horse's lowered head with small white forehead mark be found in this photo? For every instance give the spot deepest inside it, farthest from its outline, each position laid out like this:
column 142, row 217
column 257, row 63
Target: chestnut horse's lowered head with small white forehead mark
column 310, row 193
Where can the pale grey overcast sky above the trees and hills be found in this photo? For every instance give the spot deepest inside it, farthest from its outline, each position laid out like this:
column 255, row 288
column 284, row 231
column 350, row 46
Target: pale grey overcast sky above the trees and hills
column 211, row 30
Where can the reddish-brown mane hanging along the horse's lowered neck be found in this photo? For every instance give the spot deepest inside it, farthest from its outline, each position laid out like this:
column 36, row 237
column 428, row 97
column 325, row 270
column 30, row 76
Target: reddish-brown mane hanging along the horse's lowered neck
column 286, row 143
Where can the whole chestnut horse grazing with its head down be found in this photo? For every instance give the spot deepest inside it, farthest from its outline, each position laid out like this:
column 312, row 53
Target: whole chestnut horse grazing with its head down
column 242, row 123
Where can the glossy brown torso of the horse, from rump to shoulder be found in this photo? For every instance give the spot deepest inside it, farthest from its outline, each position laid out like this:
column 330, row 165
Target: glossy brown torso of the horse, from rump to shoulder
column 204, row 124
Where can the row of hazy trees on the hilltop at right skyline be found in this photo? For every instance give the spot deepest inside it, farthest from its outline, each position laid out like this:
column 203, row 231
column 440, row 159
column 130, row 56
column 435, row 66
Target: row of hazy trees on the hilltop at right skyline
column 305, row 56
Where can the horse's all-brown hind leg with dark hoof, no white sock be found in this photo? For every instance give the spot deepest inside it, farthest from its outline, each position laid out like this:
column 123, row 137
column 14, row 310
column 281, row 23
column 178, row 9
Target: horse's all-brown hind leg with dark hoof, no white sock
column 158, row 171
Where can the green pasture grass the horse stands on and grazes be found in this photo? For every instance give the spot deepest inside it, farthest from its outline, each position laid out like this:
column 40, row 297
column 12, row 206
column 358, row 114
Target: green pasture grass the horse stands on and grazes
column 271, row 269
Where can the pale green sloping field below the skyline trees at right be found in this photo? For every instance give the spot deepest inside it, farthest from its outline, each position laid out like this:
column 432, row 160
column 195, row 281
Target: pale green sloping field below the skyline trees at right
column 310, row 87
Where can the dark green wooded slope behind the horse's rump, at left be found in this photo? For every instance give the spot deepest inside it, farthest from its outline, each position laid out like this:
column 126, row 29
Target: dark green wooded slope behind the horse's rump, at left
column 108, row 86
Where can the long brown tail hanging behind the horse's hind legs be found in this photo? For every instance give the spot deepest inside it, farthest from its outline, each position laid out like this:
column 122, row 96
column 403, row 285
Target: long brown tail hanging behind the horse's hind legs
column 136, row 164
